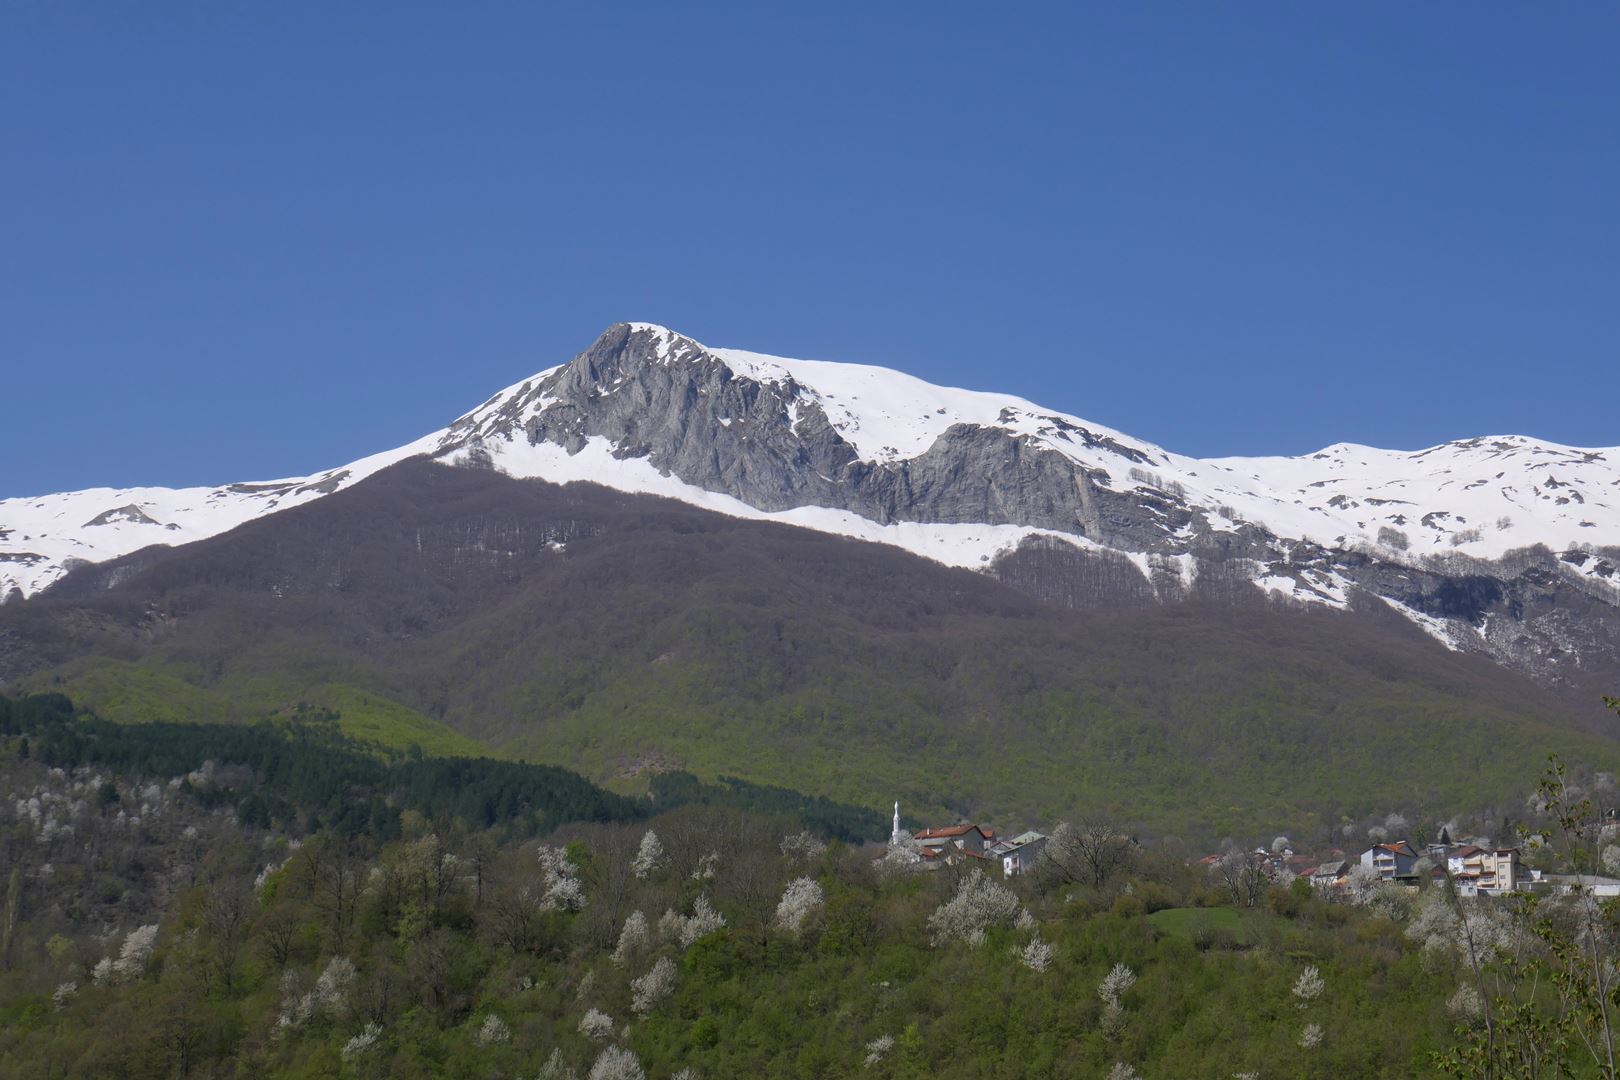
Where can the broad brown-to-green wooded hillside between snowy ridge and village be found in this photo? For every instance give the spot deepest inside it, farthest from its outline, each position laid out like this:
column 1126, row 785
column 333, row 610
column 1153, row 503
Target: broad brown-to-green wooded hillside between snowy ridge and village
column 615, row 632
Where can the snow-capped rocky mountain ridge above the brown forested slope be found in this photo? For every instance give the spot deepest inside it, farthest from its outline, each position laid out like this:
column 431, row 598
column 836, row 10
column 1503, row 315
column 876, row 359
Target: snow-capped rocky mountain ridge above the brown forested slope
column 1498, row 545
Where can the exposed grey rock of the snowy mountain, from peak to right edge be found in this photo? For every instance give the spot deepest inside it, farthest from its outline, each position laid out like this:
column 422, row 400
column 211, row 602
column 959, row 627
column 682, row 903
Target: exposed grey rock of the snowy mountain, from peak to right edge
column 1132, row 530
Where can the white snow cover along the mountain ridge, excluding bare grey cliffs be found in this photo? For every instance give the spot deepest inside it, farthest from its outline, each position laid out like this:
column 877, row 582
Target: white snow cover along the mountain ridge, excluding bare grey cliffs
column 1478, row 498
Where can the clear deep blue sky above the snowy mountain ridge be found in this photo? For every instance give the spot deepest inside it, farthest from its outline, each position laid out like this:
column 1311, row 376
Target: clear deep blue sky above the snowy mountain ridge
column 257, row 239
